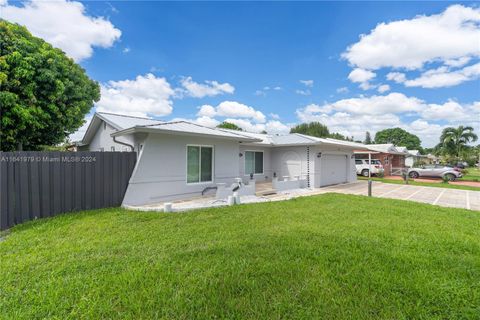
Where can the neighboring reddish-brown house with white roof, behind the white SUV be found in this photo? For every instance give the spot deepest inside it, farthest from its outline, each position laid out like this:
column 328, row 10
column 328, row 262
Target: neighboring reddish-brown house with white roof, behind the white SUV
column 391, row 157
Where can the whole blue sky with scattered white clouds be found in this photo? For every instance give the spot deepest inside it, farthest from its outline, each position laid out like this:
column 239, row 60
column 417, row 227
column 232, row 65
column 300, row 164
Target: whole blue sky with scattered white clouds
column 269, row 65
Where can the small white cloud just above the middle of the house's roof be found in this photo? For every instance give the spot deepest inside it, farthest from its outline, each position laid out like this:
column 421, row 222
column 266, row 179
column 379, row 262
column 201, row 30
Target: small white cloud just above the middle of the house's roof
column 232, row 109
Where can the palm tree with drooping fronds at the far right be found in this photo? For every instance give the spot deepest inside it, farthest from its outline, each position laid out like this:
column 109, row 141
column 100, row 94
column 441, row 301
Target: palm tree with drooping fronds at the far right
column 454, row 140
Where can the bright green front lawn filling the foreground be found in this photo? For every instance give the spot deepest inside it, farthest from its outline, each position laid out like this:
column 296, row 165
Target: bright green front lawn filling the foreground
column 324, row 257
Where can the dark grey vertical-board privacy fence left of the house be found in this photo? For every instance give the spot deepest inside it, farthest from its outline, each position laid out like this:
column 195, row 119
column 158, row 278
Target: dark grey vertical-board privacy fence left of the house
column 44, row 184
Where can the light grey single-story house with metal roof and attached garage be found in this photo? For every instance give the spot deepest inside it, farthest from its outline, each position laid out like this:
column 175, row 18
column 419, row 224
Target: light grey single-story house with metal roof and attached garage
column 178, row 160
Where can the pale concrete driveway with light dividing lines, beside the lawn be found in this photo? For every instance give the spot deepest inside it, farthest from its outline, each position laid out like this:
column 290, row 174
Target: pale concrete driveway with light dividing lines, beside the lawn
column 437, row 196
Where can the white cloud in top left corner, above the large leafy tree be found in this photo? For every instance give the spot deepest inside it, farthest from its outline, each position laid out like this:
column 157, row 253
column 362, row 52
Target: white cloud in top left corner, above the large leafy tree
column 64, row 24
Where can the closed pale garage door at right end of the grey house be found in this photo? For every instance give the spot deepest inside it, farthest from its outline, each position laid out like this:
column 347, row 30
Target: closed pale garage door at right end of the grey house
column 333, row 169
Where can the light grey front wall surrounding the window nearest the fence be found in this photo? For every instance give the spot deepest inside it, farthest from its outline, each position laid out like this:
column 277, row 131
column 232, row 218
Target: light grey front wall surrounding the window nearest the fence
column 160, row 173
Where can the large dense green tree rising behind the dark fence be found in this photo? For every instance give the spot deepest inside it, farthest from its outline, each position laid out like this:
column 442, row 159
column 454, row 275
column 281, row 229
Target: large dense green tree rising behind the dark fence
column 44, row 95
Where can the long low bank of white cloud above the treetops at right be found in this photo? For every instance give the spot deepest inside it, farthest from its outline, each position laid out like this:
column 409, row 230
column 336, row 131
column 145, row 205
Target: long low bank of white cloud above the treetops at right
column 355, row 116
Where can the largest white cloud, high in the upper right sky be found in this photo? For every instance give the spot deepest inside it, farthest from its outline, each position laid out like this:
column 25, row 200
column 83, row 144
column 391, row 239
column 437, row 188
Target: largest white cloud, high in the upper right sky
column 449, row 36
